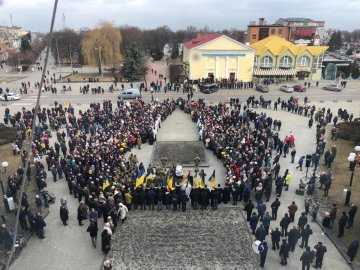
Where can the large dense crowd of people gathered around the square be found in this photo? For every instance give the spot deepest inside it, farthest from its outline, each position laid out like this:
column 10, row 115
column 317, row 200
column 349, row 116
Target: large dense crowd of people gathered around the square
column 89, row 153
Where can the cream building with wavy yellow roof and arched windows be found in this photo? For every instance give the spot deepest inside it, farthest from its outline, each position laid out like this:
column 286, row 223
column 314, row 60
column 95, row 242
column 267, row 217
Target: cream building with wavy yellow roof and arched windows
column 277, row 58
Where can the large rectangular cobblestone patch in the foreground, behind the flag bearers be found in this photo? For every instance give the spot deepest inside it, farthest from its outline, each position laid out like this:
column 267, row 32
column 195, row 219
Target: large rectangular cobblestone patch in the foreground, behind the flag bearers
column 191, row 240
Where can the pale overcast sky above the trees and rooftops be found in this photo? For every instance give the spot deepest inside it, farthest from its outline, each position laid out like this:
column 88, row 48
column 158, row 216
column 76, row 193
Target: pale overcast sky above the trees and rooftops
column 35, row 15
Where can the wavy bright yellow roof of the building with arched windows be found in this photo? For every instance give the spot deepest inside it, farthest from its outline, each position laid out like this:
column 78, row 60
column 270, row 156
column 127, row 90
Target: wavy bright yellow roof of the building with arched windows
column 277, row 46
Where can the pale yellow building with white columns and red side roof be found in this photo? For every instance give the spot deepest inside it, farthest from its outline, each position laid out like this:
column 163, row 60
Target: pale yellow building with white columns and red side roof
column 218, row 56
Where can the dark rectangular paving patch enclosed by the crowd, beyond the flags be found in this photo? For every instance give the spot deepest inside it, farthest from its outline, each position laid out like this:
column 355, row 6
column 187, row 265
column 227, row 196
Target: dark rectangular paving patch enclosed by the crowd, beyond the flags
column 183, row 152
